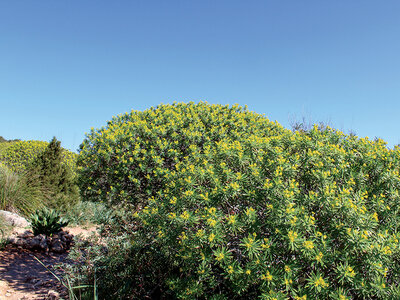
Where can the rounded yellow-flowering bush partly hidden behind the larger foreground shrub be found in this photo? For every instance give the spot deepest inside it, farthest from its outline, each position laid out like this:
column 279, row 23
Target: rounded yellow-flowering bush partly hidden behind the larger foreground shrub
column 131, row 158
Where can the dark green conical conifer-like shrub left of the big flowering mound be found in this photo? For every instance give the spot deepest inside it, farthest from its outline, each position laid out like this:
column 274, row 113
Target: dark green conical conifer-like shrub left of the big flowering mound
column 55, row 176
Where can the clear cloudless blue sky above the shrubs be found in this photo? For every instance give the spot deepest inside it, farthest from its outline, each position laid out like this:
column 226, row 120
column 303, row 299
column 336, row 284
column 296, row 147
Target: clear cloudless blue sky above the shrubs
column 66, row 66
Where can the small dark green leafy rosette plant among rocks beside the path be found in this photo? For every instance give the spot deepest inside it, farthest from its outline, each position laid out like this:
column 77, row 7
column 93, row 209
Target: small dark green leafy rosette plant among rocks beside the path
column 47, row 221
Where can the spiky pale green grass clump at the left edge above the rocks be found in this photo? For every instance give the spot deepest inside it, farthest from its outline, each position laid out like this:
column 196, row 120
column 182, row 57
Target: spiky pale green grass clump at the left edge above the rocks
column 19, row 192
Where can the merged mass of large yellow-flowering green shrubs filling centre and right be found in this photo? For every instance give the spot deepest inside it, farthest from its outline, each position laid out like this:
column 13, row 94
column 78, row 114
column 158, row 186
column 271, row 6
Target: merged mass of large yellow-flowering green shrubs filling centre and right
column 227, row 204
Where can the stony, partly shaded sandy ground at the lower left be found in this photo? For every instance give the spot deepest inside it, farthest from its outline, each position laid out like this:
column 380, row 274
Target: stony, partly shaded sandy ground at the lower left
column 23, row 277
